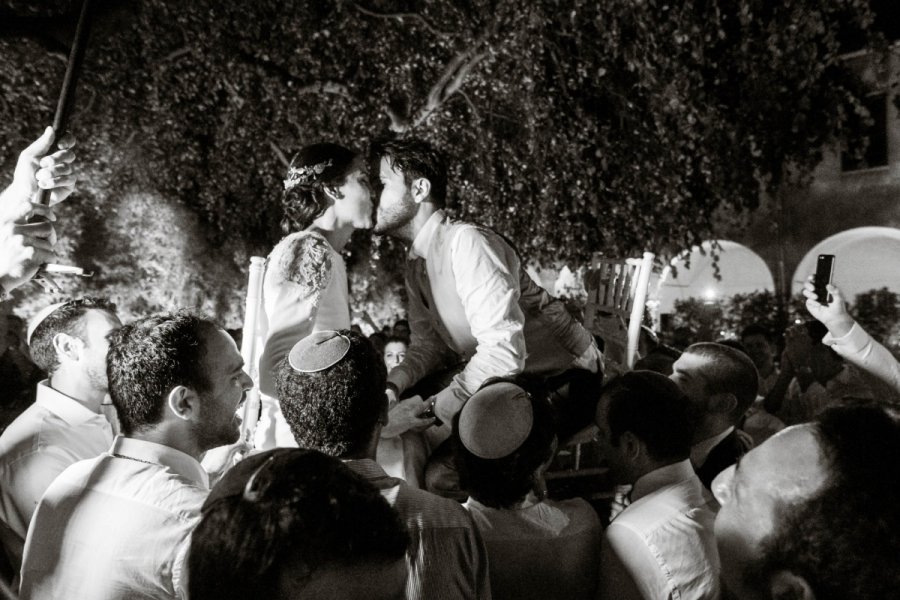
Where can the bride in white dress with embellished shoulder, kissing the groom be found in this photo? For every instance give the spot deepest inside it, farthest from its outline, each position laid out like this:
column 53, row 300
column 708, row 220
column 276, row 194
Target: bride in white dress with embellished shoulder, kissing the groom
column 326, row 198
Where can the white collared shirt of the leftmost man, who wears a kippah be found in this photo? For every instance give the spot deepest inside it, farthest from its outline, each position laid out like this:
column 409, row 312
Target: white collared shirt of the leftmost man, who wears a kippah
column 53, row 433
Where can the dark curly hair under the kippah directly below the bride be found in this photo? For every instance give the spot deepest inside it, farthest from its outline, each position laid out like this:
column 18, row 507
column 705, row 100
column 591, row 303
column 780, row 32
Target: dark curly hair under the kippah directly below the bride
column 335, row 410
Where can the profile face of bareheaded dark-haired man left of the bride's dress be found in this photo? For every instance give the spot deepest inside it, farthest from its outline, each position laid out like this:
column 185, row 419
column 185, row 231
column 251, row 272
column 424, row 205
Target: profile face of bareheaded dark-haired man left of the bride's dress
column 218, row 423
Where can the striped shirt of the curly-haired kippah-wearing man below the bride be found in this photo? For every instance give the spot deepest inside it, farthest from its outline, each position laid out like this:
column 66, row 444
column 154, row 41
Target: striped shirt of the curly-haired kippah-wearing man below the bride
column 446, row 558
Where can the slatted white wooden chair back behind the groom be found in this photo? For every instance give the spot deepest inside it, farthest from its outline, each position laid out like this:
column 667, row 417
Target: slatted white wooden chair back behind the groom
column 616, row 299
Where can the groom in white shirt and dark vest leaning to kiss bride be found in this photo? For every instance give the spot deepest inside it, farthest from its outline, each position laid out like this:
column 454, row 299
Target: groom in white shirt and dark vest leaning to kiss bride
column 474, row 312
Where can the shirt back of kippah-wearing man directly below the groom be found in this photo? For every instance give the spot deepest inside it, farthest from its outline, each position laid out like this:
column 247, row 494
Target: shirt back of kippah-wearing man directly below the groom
column 545, row 550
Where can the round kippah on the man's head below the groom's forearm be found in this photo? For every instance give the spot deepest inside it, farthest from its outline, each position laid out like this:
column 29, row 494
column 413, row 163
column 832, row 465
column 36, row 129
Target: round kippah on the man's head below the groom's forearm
column 496, row 420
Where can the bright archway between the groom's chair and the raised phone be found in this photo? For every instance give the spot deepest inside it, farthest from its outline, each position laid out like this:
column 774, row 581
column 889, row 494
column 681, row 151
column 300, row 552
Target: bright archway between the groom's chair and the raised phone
column 742, row 271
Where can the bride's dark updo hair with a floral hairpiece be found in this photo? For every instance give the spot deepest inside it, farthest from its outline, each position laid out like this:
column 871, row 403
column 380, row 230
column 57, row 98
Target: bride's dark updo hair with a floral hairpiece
column 313, row 168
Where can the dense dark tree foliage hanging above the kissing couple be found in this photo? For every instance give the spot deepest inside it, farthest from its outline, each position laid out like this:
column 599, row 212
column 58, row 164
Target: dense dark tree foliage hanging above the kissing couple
column 573, row 125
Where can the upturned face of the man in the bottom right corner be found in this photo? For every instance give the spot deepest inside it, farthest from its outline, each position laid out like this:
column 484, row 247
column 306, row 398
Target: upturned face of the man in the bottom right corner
column 785, row 470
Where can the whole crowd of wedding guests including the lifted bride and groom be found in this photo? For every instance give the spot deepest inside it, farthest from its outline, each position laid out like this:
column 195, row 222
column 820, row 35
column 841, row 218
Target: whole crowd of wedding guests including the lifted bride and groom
column 412, row 463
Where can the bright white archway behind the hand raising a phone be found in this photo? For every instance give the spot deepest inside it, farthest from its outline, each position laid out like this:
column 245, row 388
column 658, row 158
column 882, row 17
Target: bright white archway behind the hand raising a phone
column 866, row 258
